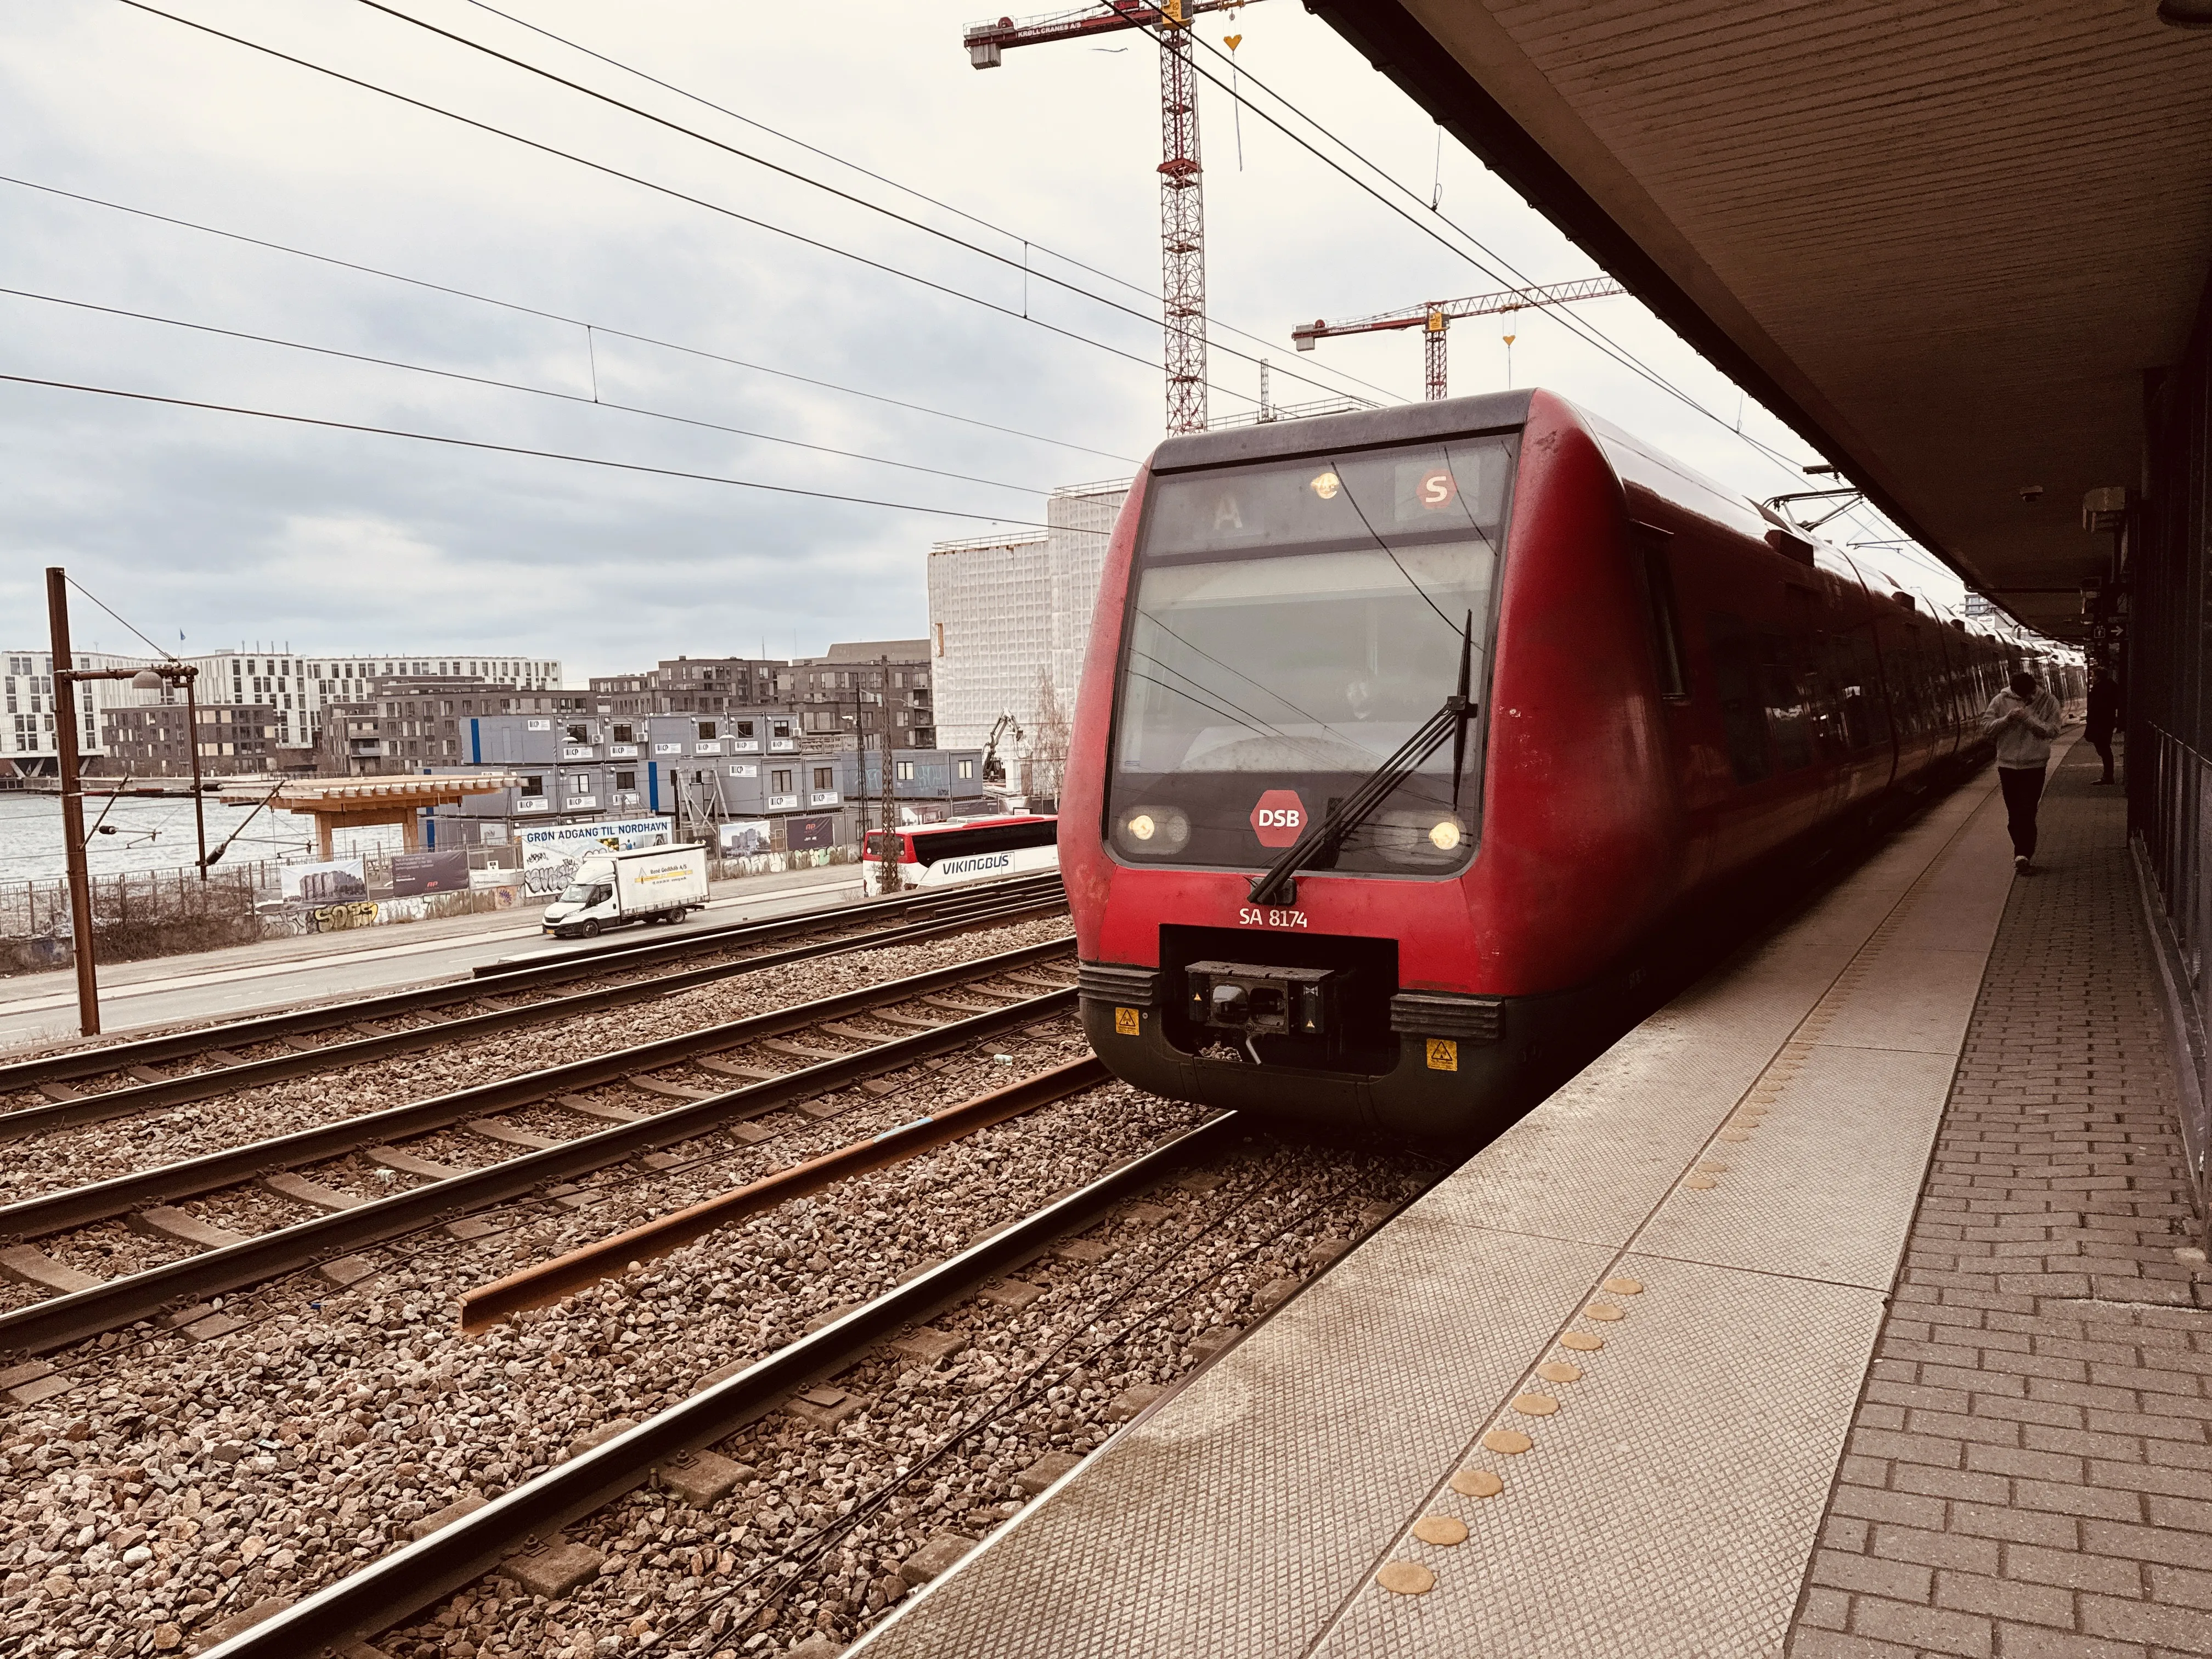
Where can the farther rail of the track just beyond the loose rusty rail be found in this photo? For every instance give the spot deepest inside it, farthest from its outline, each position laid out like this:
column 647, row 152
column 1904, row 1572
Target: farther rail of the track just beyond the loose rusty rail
column 123, row 1193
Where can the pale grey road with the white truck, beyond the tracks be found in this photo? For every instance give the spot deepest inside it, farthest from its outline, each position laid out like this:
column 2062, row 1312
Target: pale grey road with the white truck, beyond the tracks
column 278, row 974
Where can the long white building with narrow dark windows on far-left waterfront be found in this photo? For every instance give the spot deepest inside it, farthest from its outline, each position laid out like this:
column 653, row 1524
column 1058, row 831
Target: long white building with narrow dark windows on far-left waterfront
column 291, row 687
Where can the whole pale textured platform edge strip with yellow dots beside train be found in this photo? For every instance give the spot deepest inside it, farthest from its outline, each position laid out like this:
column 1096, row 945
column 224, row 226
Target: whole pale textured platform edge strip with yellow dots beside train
column 1258, row 1510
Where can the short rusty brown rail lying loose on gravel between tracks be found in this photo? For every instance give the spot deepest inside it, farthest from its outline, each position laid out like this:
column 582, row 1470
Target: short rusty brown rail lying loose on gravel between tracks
column 547, row 1282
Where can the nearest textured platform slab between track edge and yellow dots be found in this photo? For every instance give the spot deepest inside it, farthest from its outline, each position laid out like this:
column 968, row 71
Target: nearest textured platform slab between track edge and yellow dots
column 1204, row 1532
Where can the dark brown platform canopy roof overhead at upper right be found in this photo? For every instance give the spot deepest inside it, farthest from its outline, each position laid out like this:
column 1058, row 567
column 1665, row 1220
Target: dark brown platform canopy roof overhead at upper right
column 1945, row 240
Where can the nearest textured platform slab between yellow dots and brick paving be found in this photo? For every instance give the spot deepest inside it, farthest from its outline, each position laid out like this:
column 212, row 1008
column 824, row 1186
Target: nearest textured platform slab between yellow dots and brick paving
column 1678, row 1481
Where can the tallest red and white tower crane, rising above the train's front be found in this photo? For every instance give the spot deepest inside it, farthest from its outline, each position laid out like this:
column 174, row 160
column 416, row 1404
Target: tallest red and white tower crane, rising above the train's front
column 1182, row 200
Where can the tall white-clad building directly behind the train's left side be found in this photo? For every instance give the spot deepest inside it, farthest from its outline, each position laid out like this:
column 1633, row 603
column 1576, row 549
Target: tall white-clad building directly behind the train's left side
column 1010, row 620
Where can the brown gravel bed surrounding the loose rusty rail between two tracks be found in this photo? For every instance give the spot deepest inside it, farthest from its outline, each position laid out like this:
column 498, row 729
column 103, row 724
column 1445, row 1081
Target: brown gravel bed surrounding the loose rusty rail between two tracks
column 180, row 1483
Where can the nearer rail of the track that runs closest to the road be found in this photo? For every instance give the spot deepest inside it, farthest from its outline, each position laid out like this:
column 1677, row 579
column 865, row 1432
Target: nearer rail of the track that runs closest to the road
column 222, row 1081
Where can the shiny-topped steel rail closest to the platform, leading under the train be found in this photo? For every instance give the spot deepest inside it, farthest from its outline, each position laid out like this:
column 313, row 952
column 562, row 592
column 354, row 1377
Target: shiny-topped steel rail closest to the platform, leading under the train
column 419, row 1576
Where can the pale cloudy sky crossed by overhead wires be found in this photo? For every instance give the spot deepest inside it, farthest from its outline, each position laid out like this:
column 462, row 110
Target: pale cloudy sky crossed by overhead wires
column 685, row 295
